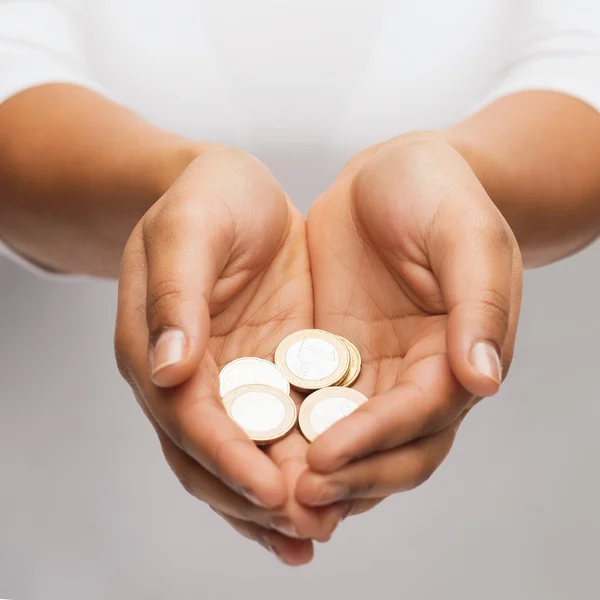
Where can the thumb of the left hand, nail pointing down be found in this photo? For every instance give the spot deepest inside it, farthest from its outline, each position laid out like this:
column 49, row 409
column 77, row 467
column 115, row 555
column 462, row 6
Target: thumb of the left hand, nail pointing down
column 187, row 239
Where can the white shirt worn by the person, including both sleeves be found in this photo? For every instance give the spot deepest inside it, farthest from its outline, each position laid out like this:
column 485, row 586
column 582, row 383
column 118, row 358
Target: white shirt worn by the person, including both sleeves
column 304, row 83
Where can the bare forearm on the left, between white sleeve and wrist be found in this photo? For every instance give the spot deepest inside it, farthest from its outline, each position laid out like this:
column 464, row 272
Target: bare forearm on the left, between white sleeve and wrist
column 77, row 172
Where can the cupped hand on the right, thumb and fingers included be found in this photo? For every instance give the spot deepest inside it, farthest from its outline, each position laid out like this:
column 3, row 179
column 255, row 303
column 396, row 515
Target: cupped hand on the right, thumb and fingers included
column 413, row 262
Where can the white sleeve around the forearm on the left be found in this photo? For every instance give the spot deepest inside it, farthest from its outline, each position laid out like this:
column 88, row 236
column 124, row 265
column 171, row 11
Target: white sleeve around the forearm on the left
column 39, row 43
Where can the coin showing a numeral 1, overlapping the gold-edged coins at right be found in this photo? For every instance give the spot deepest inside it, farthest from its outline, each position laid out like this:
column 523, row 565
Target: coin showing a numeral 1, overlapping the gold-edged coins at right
column 312, row 359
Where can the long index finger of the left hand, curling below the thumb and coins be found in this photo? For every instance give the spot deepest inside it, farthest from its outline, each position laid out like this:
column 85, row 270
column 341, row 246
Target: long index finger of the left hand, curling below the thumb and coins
column 191, row 414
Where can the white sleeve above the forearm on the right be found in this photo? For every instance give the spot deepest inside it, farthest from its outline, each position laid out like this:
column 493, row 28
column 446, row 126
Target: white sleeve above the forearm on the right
column 557, row 48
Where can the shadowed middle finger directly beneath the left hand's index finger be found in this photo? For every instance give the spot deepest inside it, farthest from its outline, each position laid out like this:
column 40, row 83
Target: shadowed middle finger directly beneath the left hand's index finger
column 204, row 486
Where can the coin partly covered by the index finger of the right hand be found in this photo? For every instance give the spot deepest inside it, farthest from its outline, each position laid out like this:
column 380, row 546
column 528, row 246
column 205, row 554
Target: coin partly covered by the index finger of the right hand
column 325, row 407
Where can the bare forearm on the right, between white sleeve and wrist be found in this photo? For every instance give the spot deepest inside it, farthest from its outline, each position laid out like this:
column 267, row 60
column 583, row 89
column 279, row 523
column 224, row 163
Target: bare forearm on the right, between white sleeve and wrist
column 538, row 156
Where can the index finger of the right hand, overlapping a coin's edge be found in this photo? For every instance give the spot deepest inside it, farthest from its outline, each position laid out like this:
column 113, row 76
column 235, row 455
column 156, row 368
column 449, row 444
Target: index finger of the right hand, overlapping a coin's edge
column 427, row 400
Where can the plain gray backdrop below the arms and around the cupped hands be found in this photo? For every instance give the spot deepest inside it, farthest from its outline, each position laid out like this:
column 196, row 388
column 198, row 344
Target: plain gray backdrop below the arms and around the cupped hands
column 89, row 509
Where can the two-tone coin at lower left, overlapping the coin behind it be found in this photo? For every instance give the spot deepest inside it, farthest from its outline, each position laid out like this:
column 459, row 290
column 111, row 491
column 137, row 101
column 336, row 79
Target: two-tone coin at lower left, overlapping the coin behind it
column 266, row 414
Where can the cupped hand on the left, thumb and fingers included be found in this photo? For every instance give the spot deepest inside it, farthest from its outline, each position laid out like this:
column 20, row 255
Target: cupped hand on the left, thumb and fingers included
column 218, row 269
